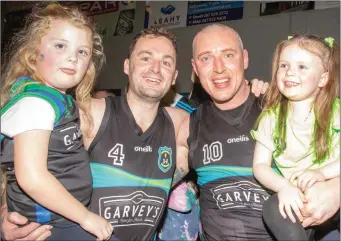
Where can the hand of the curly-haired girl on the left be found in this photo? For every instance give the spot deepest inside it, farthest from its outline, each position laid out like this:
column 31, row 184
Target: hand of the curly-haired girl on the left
column 97, row 225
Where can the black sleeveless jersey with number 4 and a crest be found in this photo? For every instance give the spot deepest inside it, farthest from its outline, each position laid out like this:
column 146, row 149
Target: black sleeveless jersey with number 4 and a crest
column 132, row 170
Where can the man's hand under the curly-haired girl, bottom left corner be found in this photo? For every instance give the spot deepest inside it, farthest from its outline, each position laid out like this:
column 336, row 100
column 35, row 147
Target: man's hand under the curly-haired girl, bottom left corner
column 10, row 230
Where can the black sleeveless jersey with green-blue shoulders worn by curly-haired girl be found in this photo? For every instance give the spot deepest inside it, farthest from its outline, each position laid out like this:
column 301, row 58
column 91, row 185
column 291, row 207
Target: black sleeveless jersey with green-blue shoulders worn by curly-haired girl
column 67, row 161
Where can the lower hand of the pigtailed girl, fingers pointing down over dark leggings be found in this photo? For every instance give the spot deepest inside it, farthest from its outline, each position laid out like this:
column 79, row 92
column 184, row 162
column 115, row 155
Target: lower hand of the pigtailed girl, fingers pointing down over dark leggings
column 291, row 198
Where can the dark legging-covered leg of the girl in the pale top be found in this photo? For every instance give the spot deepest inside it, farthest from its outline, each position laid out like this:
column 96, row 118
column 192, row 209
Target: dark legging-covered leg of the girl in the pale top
column 283, row 229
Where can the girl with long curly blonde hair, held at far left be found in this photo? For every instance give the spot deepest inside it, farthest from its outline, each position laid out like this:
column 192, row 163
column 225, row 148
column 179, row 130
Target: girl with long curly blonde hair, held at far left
column 47, row 168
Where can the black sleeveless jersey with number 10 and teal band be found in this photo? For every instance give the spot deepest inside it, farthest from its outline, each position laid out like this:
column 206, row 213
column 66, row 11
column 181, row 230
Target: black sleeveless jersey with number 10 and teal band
column 221, row 152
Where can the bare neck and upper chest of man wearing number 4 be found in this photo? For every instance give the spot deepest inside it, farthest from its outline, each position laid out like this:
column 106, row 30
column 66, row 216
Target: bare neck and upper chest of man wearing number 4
column 144, row 112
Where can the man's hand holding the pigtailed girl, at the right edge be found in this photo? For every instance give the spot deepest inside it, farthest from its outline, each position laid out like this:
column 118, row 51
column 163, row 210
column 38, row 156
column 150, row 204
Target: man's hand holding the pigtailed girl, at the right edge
column 323, row 202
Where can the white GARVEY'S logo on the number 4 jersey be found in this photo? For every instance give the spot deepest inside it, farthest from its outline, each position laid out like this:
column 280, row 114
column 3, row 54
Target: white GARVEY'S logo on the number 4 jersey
column 137, row 208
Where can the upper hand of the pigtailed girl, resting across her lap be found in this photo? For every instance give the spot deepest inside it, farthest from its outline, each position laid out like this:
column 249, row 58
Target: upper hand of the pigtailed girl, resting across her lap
column 307, row 178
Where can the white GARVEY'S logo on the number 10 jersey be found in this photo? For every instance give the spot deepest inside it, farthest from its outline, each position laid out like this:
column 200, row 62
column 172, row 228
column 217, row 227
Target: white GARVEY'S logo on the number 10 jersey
column 243, row 194
